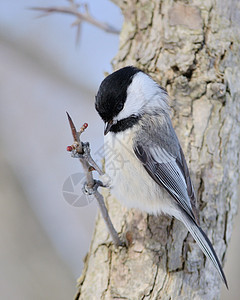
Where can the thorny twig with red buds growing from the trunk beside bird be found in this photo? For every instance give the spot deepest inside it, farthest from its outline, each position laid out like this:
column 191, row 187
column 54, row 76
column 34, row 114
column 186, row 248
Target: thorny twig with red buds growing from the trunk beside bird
column 82, row 151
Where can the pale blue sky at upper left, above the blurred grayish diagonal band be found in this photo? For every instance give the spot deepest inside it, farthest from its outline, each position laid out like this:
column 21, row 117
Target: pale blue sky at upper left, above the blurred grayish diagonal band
column 54, row 38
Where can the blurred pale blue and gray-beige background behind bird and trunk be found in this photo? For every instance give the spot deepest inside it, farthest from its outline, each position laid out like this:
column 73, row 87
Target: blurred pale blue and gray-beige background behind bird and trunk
column 43, row 74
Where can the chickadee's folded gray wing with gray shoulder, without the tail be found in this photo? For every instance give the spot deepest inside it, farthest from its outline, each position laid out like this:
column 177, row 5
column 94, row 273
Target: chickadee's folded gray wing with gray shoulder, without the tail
column 157, row 147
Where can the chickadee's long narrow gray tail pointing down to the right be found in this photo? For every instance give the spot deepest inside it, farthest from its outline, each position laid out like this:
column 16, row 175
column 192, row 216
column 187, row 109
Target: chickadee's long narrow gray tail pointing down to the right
column 203, row 242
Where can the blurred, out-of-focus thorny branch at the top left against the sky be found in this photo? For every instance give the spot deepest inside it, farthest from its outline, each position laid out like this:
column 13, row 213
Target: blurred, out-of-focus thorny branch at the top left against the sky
column 73, row 10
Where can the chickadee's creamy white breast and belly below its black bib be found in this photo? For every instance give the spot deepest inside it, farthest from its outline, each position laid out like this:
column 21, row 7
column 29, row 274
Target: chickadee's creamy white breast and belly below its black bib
column 131, row 184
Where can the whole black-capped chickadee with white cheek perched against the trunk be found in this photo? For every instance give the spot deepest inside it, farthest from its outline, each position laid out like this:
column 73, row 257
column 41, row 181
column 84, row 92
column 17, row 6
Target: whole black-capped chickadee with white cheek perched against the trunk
column 154, row 177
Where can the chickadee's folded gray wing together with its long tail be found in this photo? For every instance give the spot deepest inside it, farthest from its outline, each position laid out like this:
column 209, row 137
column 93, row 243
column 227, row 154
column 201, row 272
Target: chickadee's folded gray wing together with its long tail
column 167, row 166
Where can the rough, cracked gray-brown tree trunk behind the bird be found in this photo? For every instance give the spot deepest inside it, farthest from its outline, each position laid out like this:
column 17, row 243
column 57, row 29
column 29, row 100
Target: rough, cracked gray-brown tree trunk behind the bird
column 192, row 48
